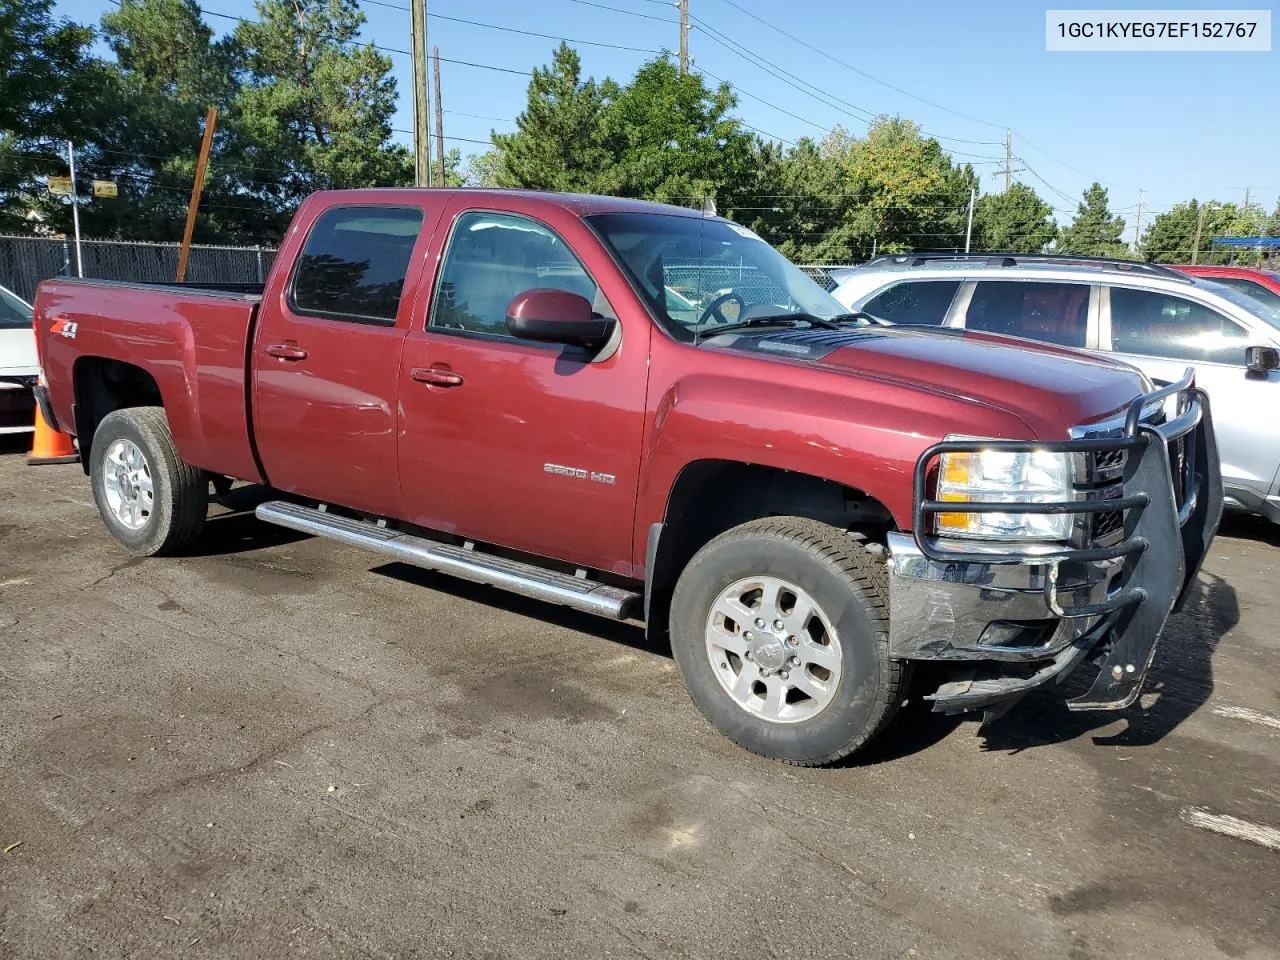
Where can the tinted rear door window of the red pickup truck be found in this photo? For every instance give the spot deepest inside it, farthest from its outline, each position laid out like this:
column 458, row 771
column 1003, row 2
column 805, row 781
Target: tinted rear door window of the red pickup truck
column 354, row 263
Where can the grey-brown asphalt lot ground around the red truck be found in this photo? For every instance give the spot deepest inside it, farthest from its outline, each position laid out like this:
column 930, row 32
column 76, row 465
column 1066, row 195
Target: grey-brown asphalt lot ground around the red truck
column 285, row 748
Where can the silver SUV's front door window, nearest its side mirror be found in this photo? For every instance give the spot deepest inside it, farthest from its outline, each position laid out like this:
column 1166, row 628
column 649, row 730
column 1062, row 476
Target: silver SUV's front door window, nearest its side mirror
column 1165, row 326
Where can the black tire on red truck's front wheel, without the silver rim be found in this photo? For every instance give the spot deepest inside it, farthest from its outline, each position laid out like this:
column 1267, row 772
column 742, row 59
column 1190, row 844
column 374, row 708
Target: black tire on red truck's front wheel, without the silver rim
column 849, row 586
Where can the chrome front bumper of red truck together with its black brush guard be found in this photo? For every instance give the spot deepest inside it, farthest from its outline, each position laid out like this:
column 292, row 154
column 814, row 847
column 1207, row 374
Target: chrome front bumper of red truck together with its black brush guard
column 1016, row 618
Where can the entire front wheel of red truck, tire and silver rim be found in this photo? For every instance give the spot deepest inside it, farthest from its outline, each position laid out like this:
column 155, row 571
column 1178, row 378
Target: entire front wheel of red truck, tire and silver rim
column 780, row 628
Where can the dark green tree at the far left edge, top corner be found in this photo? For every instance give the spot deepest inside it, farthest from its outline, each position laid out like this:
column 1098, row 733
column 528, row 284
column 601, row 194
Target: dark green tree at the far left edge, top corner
column 45, row 74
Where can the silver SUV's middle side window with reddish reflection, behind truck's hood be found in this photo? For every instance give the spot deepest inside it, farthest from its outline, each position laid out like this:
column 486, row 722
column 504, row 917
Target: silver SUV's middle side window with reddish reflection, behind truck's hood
column 1053, row 313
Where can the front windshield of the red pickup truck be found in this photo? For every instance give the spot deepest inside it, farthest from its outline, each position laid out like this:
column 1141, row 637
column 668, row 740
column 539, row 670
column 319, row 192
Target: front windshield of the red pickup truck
column 702, row 273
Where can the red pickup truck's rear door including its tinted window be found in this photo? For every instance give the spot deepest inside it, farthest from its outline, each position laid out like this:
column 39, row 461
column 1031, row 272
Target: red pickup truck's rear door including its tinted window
column 327, row 356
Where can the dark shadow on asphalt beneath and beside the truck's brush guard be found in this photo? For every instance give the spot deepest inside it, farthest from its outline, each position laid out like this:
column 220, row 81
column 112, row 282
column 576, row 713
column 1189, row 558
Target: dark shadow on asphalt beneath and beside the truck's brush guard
column 1181, row 679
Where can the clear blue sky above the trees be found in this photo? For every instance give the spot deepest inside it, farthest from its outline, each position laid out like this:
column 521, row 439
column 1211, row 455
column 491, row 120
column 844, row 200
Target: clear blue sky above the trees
column 1176, row 125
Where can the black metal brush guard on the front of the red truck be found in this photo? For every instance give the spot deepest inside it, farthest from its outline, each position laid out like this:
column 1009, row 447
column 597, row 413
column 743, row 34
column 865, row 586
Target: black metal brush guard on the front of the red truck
column 1169, row 523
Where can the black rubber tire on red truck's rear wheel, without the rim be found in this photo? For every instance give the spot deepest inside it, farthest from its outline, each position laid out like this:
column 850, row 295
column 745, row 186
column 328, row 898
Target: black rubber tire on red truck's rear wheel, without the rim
column 180, row 491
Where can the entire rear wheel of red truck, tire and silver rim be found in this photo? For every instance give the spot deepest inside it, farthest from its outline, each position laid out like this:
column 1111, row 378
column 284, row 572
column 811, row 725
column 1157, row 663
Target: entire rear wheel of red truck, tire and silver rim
column 150, row 500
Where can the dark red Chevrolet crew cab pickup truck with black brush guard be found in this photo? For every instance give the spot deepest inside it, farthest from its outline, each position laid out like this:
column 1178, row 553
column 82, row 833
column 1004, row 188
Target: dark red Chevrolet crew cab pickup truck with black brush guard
column 647, row 413
